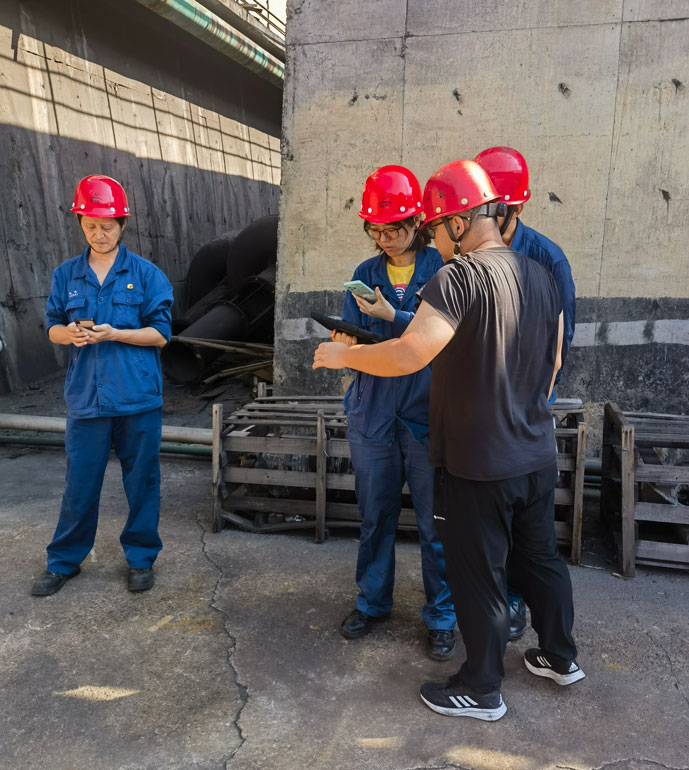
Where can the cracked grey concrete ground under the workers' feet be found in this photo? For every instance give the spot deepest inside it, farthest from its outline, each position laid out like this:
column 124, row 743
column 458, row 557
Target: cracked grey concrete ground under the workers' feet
column 233, row 660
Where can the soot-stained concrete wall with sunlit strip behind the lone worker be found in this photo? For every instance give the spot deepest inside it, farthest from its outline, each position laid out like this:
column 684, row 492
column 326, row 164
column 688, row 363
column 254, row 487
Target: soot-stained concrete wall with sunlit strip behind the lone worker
column 113, row 88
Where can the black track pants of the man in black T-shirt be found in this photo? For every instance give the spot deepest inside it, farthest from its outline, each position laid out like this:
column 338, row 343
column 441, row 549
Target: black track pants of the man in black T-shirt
column 482, row 524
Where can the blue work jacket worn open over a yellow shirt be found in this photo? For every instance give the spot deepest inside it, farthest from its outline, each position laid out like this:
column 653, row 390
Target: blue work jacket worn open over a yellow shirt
column 374, row 404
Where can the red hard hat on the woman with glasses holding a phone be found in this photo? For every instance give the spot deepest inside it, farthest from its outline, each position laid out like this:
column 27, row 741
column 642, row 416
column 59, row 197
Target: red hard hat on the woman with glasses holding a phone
column 391, row 193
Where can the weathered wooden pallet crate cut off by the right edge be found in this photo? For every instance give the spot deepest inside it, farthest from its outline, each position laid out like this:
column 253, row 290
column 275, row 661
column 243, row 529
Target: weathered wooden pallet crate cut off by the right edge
column 644, row 462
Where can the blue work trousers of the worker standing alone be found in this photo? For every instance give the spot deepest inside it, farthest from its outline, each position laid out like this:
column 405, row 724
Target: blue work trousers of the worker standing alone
column 136, row 440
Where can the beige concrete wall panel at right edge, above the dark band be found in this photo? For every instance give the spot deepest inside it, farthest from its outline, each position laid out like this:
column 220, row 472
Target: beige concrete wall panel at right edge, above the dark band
column 645, row 252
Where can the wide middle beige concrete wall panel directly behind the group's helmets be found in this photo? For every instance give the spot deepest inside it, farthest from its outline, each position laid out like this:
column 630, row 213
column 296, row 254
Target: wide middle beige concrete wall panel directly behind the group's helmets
column 559, row 115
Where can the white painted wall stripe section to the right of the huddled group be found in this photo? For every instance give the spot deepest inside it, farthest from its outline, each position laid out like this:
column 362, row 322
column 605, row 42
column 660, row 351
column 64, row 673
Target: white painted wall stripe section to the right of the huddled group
column 673, row 332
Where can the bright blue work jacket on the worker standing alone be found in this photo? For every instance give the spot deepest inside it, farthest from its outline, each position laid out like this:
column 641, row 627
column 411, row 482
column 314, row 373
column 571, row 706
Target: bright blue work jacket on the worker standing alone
column 112, row 378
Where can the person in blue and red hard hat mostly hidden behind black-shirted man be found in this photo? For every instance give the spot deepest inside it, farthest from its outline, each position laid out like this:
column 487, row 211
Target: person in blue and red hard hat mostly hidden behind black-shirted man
column 509, row 174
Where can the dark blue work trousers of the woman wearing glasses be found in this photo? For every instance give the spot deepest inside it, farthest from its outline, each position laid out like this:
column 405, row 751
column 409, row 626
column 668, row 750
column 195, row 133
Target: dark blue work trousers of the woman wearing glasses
column 380, row 473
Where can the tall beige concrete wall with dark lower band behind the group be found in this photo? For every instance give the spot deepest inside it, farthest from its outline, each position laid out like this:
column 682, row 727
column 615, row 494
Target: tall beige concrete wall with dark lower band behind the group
column 595, row 93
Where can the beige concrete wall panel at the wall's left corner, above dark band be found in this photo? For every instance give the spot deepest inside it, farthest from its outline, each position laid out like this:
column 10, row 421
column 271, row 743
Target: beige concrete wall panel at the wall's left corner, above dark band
column 340, row 128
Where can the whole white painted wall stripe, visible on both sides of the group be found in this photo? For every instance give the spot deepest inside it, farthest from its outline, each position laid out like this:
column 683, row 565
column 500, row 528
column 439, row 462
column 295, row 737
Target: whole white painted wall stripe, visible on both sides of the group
column 673, row 332
